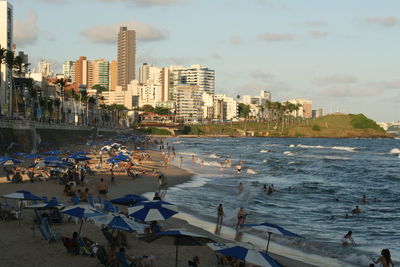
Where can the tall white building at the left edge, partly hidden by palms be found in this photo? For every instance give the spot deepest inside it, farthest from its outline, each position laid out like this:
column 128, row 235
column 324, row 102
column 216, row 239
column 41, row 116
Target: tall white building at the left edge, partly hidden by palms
column 6, row 41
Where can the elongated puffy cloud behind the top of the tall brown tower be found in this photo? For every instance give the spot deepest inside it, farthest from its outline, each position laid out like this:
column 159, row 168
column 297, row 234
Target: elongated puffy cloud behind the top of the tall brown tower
column 107, row 34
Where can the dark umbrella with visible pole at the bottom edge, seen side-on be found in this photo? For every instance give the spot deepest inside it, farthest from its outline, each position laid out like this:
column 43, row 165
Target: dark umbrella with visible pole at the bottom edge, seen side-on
column 182, row 238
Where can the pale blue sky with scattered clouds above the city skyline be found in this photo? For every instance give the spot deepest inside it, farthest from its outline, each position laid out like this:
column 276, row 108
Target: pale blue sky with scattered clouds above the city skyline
column 342, row 54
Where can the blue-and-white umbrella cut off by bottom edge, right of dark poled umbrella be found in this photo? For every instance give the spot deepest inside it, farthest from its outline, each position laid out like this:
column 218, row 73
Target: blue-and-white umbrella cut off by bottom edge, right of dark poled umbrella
column 245, row 252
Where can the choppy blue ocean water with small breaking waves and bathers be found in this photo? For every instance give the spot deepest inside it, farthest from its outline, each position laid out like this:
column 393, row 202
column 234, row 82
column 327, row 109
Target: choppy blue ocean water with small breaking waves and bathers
column 328, row 178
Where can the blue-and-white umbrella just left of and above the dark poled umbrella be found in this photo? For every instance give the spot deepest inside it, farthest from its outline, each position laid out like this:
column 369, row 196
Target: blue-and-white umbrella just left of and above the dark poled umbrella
column 119, row 222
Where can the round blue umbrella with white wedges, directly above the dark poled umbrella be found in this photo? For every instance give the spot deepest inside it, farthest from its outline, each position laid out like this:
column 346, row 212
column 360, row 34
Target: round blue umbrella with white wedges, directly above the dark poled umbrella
column 147, row 211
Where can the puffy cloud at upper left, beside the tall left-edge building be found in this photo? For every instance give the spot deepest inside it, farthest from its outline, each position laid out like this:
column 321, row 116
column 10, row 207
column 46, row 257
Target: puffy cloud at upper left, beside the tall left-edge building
column 26, row 31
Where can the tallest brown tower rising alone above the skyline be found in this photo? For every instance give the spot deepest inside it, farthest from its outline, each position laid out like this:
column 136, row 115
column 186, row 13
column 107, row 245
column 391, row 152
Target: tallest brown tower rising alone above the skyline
column 126, row 57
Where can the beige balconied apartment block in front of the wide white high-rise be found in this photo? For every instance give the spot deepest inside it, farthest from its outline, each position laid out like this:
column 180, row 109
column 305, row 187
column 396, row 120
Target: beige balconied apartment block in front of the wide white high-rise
column 188, row 102
